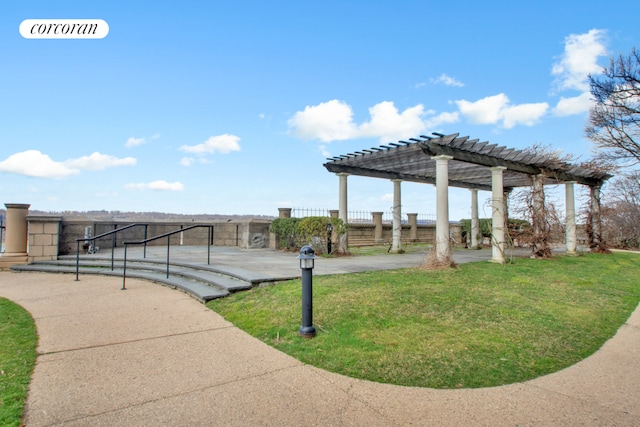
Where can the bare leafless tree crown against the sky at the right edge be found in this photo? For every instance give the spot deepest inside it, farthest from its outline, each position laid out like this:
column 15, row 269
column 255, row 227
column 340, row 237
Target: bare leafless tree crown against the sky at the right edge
column 614, row 121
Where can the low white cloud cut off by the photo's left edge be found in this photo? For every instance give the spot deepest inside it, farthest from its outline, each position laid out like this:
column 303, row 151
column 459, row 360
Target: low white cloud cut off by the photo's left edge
column 36, row 164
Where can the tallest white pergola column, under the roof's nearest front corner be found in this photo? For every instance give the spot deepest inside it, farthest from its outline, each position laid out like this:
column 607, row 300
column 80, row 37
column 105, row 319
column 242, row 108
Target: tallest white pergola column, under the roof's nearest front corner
column 443, row 252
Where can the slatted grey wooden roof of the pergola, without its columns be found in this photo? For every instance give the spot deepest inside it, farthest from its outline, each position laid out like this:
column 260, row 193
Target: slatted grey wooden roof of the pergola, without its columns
column 412, row 161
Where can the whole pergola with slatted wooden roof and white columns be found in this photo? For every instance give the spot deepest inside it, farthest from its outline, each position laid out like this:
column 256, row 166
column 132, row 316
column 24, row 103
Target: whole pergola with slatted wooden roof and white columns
column 451, row 160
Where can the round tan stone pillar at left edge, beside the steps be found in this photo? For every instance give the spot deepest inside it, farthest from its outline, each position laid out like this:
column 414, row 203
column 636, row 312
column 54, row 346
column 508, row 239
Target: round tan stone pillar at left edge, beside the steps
column 15, row 250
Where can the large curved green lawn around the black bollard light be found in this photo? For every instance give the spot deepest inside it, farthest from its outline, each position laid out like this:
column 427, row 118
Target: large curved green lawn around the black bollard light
column 479, row 325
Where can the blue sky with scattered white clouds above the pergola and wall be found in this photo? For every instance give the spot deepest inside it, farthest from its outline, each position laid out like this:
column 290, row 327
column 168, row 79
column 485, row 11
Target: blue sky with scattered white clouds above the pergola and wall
column 233, row 107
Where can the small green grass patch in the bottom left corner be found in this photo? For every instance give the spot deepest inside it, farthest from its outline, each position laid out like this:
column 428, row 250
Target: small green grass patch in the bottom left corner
column 18, row 341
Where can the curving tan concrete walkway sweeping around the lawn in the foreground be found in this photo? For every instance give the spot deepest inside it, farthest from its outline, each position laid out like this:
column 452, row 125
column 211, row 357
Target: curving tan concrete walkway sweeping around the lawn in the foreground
column 155, row 356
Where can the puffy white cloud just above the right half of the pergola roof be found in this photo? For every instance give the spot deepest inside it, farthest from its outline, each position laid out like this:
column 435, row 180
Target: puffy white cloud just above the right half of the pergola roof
column 497, row 109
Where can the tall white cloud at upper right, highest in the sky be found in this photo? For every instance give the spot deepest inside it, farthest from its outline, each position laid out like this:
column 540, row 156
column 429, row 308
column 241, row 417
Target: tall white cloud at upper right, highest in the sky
column 580, row 58
